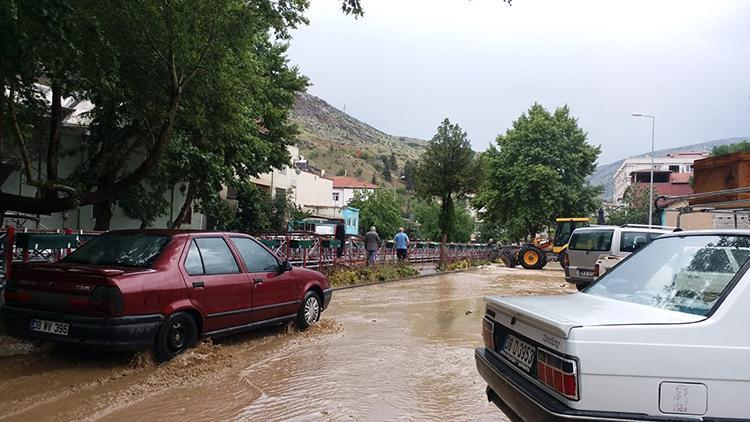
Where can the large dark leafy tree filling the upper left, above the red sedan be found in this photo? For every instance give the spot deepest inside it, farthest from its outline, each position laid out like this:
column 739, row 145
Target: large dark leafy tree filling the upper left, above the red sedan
column 141, row 63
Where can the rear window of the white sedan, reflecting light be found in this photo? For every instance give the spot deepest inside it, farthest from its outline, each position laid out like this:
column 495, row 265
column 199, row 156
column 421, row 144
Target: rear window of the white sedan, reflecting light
column 685, row 274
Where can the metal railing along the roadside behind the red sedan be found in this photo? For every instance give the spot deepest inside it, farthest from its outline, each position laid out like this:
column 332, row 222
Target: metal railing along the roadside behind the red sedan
column 302, row 249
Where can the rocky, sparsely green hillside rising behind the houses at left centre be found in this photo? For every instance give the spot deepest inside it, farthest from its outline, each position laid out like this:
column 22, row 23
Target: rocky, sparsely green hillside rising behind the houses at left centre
column 337, row 142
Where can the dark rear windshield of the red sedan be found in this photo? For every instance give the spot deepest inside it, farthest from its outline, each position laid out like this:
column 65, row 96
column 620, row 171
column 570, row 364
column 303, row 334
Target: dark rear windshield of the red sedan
column 122, row 250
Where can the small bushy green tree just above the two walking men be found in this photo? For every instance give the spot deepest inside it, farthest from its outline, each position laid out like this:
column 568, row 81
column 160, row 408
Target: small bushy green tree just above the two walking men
column 382, row 209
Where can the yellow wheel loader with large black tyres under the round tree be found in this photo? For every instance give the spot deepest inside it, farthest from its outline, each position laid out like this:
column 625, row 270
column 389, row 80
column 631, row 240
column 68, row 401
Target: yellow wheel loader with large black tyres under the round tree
column 535, row 255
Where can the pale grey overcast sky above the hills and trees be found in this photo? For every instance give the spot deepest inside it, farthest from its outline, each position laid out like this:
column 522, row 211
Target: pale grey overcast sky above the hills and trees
column 407, row 64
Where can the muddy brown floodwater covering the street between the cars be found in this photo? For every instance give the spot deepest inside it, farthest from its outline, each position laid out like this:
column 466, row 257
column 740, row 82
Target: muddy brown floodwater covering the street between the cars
column 401, row 350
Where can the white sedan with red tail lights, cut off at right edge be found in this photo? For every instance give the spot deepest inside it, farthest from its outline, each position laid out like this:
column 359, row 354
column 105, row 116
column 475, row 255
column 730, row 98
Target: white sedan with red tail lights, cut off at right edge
column 665, row 335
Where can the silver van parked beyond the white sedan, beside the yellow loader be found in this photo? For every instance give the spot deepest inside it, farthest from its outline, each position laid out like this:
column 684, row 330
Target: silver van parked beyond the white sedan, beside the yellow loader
column 589, row 243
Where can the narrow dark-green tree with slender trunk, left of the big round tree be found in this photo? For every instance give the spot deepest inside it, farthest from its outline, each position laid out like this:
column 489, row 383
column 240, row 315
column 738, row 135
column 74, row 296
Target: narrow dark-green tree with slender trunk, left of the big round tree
column 447, row 171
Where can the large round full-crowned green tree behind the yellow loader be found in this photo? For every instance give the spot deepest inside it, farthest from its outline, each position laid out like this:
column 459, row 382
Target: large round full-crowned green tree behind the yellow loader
column 537, row 172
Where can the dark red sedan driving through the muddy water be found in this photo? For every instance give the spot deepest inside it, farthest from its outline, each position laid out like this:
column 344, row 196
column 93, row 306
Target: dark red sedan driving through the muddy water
column 136, row 289
